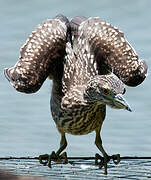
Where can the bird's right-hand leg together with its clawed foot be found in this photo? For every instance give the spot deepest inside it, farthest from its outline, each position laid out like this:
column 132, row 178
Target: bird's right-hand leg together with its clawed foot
column 106, row 158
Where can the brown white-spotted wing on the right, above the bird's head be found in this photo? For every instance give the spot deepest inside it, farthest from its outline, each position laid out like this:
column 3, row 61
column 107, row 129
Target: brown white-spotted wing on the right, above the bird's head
column 108, row 47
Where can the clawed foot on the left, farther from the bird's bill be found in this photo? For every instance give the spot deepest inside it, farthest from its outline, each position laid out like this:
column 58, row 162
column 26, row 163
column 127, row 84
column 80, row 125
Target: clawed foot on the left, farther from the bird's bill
column 46, row 159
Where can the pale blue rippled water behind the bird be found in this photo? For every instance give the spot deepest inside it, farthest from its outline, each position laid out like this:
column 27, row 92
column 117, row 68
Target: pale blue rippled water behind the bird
column 26, row 125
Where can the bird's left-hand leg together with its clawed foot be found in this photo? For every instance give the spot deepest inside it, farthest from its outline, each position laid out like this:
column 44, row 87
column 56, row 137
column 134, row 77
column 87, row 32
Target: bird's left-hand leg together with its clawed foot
column 57, row 157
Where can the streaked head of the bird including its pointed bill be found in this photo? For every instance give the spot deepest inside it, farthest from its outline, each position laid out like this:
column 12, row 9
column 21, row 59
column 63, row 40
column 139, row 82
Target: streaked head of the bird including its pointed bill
column 108, row 90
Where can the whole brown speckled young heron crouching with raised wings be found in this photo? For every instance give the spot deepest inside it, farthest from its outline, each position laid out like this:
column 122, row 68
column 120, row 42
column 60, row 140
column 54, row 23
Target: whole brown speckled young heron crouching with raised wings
column 89, row 62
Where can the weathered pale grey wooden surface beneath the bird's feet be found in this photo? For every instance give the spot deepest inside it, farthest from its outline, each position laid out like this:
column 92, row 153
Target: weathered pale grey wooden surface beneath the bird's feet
column 78, row 169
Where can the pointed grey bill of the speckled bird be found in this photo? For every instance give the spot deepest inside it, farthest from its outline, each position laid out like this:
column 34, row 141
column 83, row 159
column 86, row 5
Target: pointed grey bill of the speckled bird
column 121, row 103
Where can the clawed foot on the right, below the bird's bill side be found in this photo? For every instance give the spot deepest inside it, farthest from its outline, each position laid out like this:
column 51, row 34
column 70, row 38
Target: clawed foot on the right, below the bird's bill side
column 103, row 161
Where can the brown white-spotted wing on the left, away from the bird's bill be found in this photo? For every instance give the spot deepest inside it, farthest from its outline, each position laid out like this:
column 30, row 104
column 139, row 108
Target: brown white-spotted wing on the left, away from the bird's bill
column 42, row 53
